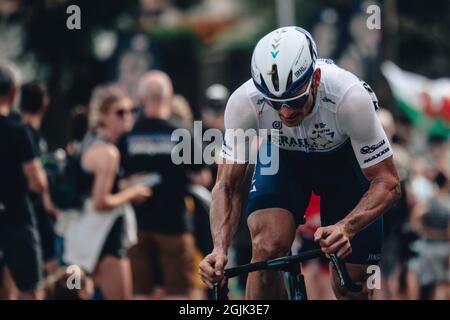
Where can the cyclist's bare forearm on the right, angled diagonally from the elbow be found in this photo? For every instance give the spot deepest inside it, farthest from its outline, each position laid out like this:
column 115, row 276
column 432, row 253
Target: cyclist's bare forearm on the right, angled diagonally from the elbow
column 377, row 200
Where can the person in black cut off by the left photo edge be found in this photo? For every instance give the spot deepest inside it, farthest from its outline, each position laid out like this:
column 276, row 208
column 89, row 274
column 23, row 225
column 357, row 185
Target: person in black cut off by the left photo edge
column 20, row 170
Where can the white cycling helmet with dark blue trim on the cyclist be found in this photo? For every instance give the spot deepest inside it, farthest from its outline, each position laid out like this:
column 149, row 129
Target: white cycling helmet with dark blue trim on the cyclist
column 283, row 61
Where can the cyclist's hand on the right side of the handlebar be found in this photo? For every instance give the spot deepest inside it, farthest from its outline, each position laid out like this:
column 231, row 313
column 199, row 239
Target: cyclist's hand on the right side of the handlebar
column 334, row 238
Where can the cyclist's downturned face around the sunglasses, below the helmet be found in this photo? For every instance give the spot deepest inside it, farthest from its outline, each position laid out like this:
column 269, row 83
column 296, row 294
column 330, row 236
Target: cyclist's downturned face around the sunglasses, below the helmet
column 293, row 117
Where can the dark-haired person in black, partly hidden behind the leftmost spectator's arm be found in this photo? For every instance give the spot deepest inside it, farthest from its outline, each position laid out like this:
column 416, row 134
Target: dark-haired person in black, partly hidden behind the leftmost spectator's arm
column 33, row 105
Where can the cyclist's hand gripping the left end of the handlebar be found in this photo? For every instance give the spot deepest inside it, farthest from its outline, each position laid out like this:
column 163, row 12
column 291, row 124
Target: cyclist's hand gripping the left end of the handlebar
column 211, row 268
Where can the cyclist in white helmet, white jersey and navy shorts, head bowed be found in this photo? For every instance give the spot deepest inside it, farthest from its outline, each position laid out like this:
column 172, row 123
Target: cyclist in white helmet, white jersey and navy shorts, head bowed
column 330, row 141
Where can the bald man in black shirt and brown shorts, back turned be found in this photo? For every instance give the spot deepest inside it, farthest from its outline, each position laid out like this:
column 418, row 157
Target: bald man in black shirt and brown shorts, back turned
column 162, row 261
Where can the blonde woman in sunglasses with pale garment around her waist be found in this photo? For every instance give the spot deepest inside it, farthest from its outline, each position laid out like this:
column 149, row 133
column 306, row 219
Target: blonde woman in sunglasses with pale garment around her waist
column 98, row 240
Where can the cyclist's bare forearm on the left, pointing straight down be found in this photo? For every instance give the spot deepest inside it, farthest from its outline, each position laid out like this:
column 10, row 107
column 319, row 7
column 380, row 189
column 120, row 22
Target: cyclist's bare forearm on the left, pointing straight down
column 225, row 211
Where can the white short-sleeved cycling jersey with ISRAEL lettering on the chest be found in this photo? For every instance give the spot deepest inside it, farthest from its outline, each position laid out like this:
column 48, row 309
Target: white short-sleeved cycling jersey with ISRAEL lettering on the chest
column 345, row 108
